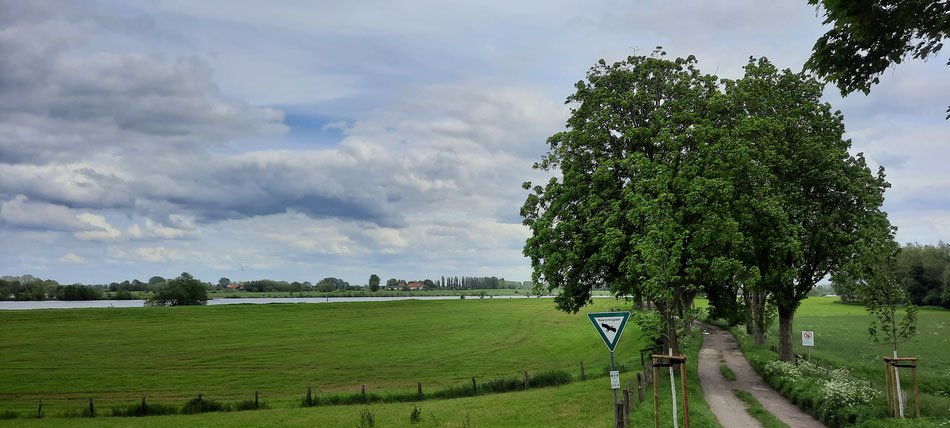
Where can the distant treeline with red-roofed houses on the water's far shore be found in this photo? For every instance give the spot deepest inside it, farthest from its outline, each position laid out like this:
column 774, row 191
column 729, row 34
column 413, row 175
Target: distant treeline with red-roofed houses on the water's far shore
column 29, row 287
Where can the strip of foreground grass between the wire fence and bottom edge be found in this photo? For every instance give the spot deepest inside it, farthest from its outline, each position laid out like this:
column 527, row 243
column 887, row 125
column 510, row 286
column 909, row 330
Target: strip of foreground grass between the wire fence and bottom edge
column 577, row 404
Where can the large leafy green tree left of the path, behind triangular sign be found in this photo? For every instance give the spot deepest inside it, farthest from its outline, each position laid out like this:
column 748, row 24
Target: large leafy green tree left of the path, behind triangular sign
column 637, row 203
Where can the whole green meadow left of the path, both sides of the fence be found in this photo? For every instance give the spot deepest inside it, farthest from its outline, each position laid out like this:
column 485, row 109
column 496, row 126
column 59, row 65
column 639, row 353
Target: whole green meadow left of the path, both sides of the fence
column 118, row 355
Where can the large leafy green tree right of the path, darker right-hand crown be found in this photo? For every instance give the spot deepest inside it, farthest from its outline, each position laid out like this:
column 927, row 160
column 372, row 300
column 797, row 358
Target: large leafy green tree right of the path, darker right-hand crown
column 806, row 201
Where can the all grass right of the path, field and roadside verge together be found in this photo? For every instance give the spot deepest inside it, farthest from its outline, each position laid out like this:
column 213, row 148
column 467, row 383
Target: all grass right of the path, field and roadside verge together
column 841, row 340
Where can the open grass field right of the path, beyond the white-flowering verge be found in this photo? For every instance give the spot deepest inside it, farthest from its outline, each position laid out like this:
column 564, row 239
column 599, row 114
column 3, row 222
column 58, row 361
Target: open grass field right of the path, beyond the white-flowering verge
column 841, row 339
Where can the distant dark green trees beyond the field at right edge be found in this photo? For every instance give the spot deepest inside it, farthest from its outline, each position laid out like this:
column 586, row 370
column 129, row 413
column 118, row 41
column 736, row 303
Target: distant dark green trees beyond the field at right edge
column 923, row 271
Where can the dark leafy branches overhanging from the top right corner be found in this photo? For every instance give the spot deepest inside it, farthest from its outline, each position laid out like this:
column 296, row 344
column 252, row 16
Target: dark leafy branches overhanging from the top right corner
column 867, row 37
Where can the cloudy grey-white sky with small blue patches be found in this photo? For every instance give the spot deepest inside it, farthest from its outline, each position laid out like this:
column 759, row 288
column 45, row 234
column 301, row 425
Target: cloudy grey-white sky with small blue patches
column 298, row 140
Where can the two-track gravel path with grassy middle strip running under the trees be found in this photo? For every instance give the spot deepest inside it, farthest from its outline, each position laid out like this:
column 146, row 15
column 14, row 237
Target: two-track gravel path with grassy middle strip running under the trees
column 729, row 410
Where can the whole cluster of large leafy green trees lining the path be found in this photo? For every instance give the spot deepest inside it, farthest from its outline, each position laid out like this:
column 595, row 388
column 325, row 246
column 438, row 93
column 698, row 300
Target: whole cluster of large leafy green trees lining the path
column 672, row 182
